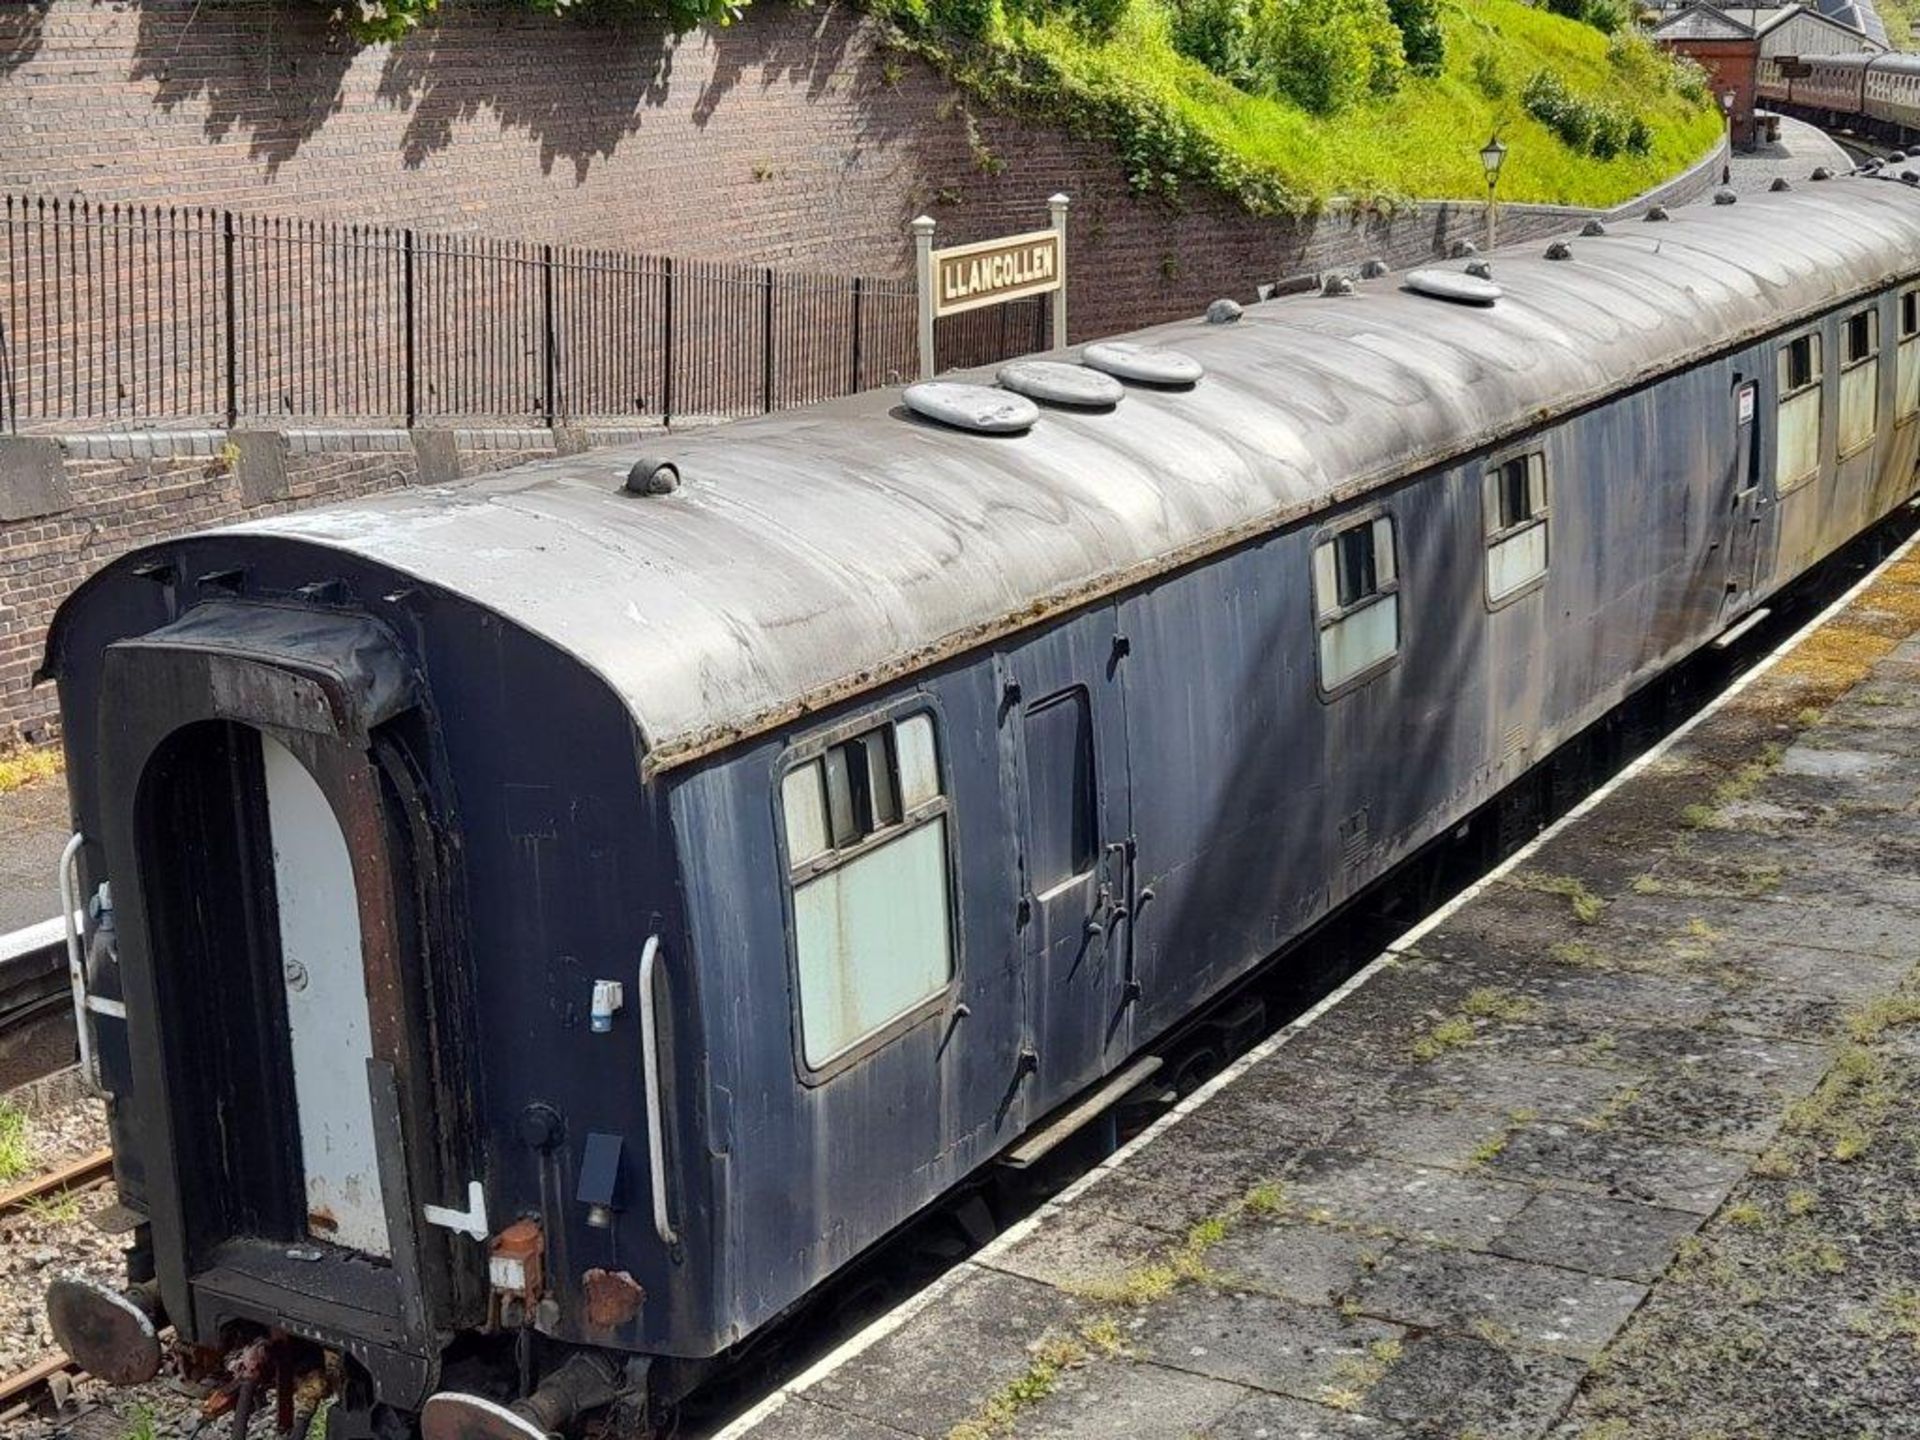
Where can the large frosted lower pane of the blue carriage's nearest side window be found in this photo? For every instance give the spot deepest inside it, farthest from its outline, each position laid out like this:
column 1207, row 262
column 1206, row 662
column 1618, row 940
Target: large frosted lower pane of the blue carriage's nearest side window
column 873, row 942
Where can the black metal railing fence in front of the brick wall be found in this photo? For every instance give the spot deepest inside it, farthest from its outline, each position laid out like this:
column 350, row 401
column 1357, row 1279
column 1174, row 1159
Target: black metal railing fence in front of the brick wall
column 164, row 316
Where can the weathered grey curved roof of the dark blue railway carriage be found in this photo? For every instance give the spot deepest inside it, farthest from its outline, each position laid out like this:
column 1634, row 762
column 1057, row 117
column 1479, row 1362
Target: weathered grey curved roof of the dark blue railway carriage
column 823, row 552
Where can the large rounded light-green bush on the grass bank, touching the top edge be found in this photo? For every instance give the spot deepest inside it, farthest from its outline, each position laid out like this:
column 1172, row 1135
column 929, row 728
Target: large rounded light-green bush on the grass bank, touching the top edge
column 1328, row 55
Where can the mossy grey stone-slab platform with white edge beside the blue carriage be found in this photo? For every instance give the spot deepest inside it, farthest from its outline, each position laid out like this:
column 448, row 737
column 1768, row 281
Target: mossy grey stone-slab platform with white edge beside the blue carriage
column 1621, row 1145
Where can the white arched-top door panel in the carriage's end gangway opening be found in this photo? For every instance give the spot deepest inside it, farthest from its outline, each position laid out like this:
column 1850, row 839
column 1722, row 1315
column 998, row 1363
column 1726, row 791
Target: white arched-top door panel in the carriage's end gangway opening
column 325, row 1007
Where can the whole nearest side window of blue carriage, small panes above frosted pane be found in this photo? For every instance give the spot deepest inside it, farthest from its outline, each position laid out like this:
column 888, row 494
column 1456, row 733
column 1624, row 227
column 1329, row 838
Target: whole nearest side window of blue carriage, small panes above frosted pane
column 867, row 846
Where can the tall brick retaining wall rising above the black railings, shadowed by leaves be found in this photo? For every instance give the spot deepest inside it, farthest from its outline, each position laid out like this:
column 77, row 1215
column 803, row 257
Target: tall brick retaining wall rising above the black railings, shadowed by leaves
column 794, row 139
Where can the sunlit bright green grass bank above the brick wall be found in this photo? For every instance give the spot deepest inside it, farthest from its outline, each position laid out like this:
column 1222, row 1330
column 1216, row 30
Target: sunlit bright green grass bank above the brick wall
column 1180, row 124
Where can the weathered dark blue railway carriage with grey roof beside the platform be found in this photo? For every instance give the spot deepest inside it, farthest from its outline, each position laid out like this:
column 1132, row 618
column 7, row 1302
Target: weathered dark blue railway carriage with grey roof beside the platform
column 562, row 926
